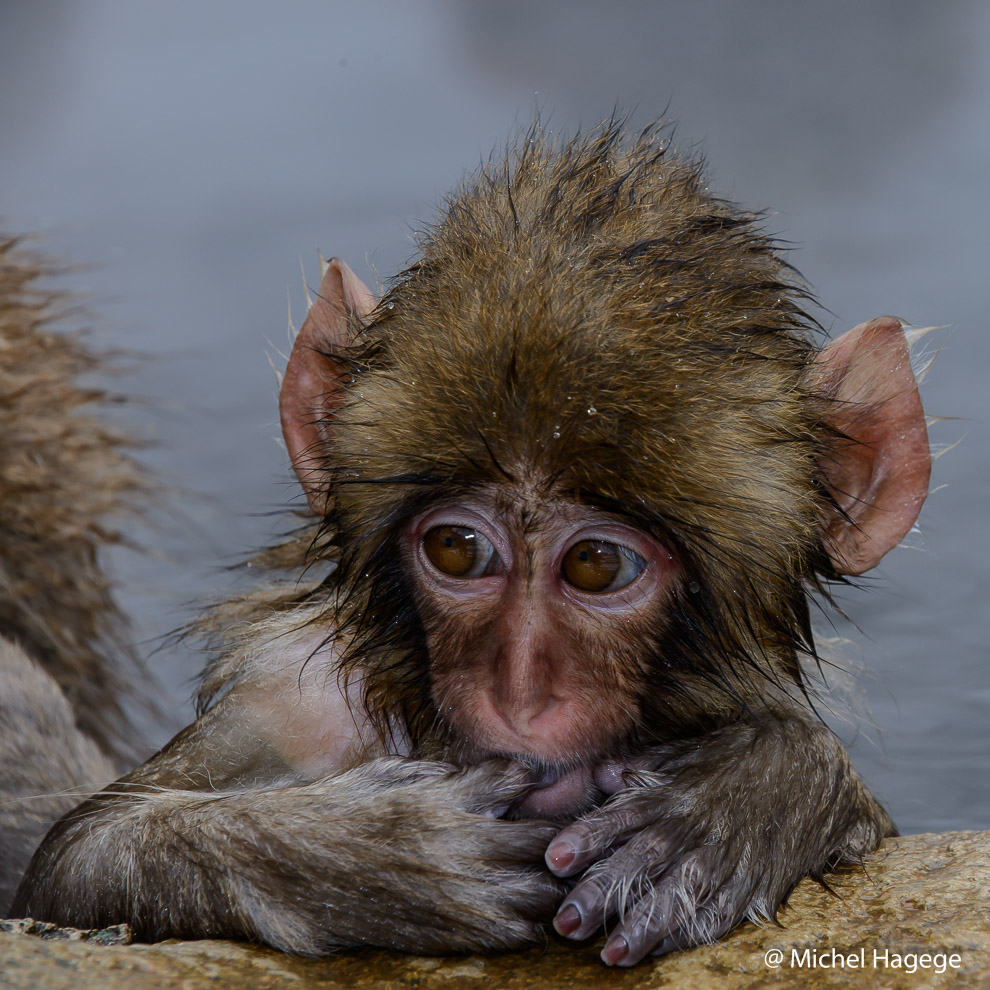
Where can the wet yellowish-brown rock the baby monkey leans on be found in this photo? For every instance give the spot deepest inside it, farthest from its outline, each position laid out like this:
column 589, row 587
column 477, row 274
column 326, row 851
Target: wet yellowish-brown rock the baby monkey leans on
column 916, row 916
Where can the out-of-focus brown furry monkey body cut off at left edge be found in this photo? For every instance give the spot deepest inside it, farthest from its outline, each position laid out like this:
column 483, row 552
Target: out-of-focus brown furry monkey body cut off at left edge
column 63, row 664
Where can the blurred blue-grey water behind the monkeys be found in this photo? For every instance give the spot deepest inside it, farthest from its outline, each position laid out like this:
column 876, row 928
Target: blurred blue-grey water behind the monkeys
column 189, row 154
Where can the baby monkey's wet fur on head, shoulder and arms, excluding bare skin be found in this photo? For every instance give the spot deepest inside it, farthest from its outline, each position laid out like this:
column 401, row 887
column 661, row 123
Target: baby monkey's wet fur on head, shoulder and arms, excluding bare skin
column 549, row 340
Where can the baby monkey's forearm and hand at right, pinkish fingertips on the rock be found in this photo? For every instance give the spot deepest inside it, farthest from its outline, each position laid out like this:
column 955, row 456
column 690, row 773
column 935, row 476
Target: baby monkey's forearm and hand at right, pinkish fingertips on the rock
column 720, row 832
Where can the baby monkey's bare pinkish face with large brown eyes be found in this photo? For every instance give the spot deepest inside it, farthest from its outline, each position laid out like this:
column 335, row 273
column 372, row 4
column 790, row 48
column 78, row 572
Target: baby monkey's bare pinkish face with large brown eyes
column 534, row 613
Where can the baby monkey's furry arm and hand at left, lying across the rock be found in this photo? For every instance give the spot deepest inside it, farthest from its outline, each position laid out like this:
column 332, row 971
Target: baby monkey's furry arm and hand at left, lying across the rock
column 396, row 853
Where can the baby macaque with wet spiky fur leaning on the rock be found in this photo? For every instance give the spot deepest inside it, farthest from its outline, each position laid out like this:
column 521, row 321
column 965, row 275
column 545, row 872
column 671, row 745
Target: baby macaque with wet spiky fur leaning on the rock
column 574, row 476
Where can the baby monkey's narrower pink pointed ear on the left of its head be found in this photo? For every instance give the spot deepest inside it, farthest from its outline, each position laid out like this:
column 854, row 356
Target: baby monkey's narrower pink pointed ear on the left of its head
column 311, row 385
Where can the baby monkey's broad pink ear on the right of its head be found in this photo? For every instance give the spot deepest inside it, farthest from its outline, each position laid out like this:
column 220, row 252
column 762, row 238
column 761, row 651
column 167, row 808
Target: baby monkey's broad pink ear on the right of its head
column 879, row 476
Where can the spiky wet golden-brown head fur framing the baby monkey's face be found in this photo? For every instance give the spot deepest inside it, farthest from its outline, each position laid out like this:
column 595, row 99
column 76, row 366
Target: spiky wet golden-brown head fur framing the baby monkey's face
column 586, row 320
